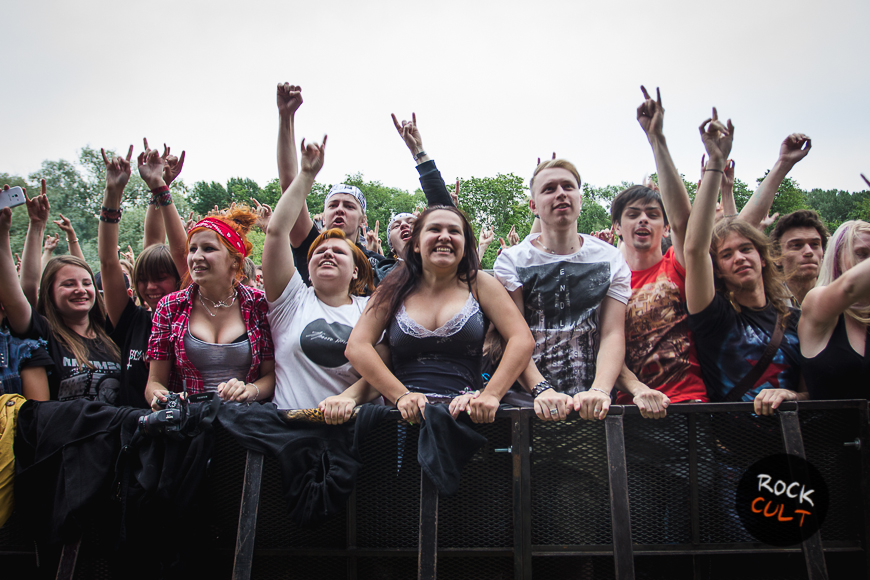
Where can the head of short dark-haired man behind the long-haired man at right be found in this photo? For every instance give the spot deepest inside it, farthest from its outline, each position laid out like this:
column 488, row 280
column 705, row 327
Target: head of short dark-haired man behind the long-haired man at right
column 800, row 239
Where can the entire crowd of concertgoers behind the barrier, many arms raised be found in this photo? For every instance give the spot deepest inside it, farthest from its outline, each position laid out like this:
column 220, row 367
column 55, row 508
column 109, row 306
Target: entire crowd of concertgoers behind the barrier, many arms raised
column 679, row 302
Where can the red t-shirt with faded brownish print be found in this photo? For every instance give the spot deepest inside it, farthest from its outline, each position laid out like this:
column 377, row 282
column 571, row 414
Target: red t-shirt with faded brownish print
column 659, row 348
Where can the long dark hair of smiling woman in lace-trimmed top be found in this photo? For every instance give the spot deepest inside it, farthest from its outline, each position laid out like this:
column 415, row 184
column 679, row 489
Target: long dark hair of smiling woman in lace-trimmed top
column 406, row 276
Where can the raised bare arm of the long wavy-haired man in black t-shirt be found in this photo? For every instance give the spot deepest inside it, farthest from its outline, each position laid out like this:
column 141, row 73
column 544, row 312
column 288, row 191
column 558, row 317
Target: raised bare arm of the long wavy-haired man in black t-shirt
column 700, row 287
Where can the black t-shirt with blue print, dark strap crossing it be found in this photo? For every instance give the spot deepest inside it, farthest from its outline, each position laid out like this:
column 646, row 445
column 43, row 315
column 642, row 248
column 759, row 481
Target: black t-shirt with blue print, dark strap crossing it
column 729, row 344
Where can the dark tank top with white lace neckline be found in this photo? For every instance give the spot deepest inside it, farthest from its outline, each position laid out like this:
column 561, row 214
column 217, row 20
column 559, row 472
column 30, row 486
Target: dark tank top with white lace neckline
column 445, row 361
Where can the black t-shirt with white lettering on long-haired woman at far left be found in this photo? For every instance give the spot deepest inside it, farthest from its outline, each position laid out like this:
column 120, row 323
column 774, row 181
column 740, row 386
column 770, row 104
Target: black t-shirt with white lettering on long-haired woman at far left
column 67, row 380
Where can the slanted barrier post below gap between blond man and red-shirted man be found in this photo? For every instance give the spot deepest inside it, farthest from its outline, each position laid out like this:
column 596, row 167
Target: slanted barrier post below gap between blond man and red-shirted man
column 620, row 514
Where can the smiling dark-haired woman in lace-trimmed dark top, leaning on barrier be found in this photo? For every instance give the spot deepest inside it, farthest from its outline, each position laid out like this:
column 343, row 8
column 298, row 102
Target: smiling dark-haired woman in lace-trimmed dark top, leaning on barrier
column 435, row 308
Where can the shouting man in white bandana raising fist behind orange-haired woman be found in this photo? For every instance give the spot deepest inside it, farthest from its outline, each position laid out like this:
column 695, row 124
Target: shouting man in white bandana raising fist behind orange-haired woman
column 345, row 205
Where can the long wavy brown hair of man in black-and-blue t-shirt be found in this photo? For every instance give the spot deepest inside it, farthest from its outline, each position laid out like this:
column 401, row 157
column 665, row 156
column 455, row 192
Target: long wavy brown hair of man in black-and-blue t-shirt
column 775, row 289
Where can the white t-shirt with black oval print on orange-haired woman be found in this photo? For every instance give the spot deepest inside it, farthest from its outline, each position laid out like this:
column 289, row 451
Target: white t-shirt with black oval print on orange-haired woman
column 310, row 338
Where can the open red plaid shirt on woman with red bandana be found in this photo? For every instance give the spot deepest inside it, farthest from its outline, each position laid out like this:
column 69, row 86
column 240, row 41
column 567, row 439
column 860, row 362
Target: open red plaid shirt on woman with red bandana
column 169, row 325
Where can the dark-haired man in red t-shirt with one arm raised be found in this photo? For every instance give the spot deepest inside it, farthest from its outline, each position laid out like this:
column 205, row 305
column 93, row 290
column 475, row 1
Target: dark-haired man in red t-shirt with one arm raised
column 659, row 353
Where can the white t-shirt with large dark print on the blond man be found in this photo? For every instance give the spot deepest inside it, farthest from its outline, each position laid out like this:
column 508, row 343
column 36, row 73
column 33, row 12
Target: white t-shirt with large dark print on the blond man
column 561, row 298
